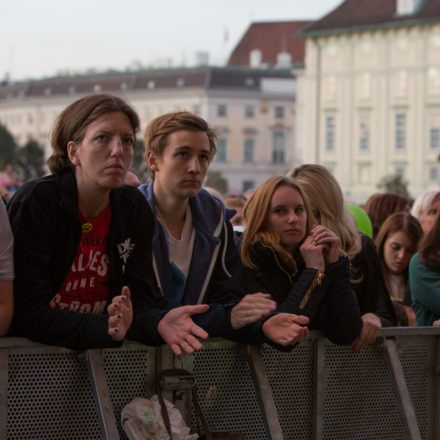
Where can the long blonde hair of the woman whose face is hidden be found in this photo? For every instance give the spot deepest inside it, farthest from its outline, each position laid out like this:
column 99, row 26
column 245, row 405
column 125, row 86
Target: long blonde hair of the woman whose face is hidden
column 327, row 204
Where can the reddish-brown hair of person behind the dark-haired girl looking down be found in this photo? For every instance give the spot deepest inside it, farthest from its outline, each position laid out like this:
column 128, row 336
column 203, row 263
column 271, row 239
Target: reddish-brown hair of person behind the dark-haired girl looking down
column 381, row 205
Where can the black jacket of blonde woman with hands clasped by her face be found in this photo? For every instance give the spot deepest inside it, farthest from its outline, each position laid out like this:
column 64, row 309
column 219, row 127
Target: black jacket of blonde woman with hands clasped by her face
column 331, row 306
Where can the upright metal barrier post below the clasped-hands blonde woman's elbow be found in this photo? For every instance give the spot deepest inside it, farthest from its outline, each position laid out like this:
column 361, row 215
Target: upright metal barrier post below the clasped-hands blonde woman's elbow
column 319, row 379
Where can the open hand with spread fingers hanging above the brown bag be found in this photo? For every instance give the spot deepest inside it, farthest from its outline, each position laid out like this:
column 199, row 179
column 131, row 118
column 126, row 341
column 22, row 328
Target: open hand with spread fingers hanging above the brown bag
column 179, row 331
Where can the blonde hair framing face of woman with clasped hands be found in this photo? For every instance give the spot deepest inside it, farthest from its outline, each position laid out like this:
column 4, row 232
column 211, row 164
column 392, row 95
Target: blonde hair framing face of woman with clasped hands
column 255, row 213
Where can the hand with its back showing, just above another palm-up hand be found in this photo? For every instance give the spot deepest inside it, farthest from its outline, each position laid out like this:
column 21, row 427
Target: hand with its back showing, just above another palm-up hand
column 251, row 308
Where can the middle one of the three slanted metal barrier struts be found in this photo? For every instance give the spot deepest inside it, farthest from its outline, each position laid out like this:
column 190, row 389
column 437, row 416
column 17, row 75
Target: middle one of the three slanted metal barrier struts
column 264, row 393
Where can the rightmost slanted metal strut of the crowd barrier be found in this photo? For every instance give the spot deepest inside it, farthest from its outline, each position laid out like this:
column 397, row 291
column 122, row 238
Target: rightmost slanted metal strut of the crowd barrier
column 401, row 389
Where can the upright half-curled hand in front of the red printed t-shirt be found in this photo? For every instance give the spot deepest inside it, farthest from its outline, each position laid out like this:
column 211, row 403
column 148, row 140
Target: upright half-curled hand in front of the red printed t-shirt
column 120, row 315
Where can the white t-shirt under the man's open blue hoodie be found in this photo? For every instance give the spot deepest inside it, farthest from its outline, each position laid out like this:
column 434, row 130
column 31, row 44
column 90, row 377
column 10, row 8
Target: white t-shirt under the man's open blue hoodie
column 180, row 253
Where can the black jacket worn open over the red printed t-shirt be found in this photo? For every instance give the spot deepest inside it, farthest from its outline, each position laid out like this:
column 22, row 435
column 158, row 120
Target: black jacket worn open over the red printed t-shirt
column 47, row 230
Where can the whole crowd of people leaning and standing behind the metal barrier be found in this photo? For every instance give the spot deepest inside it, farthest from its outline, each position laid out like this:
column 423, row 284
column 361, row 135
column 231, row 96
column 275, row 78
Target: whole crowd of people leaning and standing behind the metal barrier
column 87, row 260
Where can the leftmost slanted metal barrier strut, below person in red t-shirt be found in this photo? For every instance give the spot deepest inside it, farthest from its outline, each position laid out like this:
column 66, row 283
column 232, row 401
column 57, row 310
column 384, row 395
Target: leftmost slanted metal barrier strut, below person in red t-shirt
column 107, row 420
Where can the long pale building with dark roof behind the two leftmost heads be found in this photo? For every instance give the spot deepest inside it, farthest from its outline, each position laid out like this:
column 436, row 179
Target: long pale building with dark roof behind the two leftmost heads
column 253, row 110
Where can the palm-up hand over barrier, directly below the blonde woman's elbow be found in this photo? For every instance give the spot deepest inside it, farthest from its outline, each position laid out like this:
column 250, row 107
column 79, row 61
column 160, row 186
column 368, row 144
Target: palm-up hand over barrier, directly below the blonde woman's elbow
column 286, row 328
